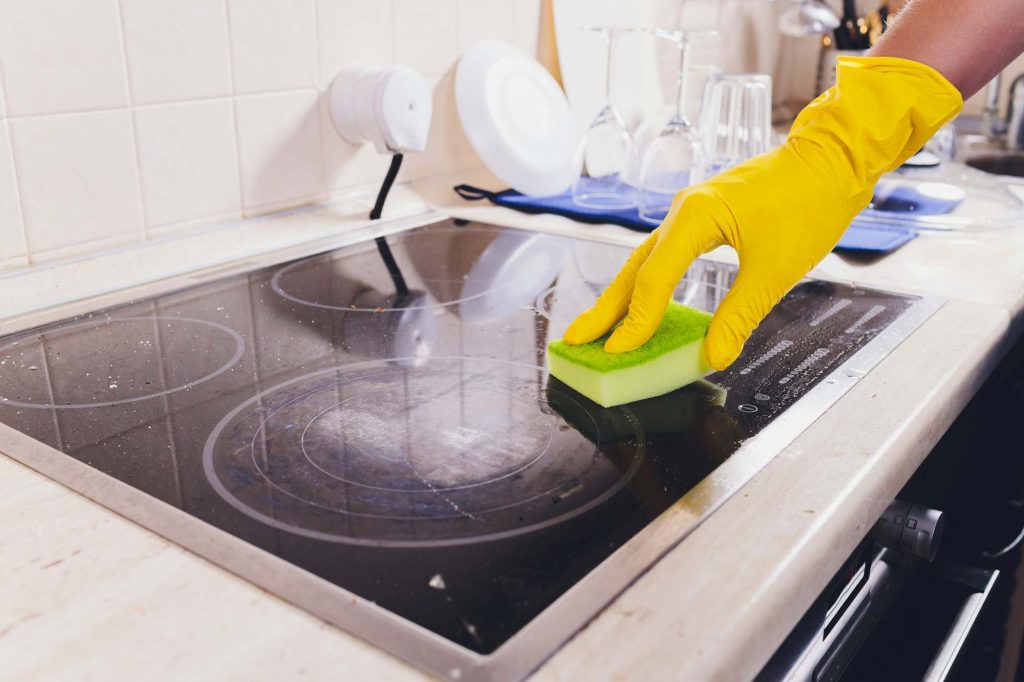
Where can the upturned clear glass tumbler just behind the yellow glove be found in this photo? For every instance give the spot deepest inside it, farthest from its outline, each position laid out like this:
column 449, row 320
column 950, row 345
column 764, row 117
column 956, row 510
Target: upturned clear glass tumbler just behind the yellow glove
column 736, row 120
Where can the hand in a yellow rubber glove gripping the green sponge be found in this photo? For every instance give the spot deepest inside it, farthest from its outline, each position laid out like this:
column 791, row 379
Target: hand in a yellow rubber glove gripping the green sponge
column 783, row 211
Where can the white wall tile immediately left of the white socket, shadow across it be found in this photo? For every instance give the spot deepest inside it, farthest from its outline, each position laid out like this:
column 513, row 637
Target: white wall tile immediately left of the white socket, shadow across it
column 280, row 148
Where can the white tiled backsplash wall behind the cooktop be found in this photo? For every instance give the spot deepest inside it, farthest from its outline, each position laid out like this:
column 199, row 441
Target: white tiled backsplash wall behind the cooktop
column 123, row 120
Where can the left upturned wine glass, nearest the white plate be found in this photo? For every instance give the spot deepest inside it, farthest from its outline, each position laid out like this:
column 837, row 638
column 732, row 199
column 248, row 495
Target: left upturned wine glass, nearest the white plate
column 608, row 155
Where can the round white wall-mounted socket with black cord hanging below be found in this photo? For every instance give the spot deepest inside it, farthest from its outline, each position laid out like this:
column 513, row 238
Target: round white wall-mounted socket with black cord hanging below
column 391, row 107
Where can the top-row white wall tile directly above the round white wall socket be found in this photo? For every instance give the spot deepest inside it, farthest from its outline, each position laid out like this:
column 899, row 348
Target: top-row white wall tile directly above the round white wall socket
column 354, row 33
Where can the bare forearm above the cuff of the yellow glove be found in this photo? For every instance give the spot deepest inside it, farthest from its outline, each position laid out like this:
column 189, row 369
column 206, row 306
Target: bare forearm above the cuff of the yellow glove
column 967, row 41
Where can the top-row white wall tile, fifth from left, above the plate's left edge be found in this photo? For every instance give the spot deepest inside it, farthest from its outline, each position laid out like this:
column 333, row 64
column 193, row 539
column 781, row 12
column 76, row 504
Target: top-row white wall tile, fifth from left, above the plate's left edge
column 425, row 35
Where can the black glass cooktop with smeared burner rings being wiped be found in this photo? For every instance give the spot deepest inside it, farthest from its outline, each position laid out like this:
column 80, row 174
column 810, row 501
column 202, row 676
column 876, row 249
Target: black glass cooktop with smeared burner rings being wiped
column 395, row 433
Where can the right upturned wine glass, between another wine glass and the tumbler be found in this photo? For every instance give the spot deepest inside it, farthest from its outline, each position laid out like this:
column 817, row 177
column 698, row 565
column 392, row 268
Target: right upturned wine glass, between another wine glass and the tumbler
column 673, row 160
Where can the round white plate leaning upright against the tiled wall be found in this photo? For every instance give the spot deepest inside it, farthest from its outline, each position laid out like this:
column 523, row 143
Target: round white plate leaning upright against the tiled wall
column 517, row 118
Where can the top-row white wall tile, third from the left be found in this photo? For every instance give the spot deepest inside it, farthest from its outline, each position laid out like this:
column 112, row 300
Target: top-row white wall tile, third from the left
column 274, row 45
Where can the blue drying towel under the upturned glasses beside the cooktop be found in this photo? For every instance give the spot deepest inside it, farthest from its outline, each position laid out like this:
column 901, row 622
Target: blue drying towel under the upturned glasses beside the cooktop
column 860, row 238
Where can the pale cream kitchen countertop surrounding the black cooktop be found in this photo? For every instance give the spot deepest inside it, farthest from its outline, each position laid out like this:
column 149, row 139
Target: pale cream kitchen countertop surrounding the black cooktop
column 90, row 594
